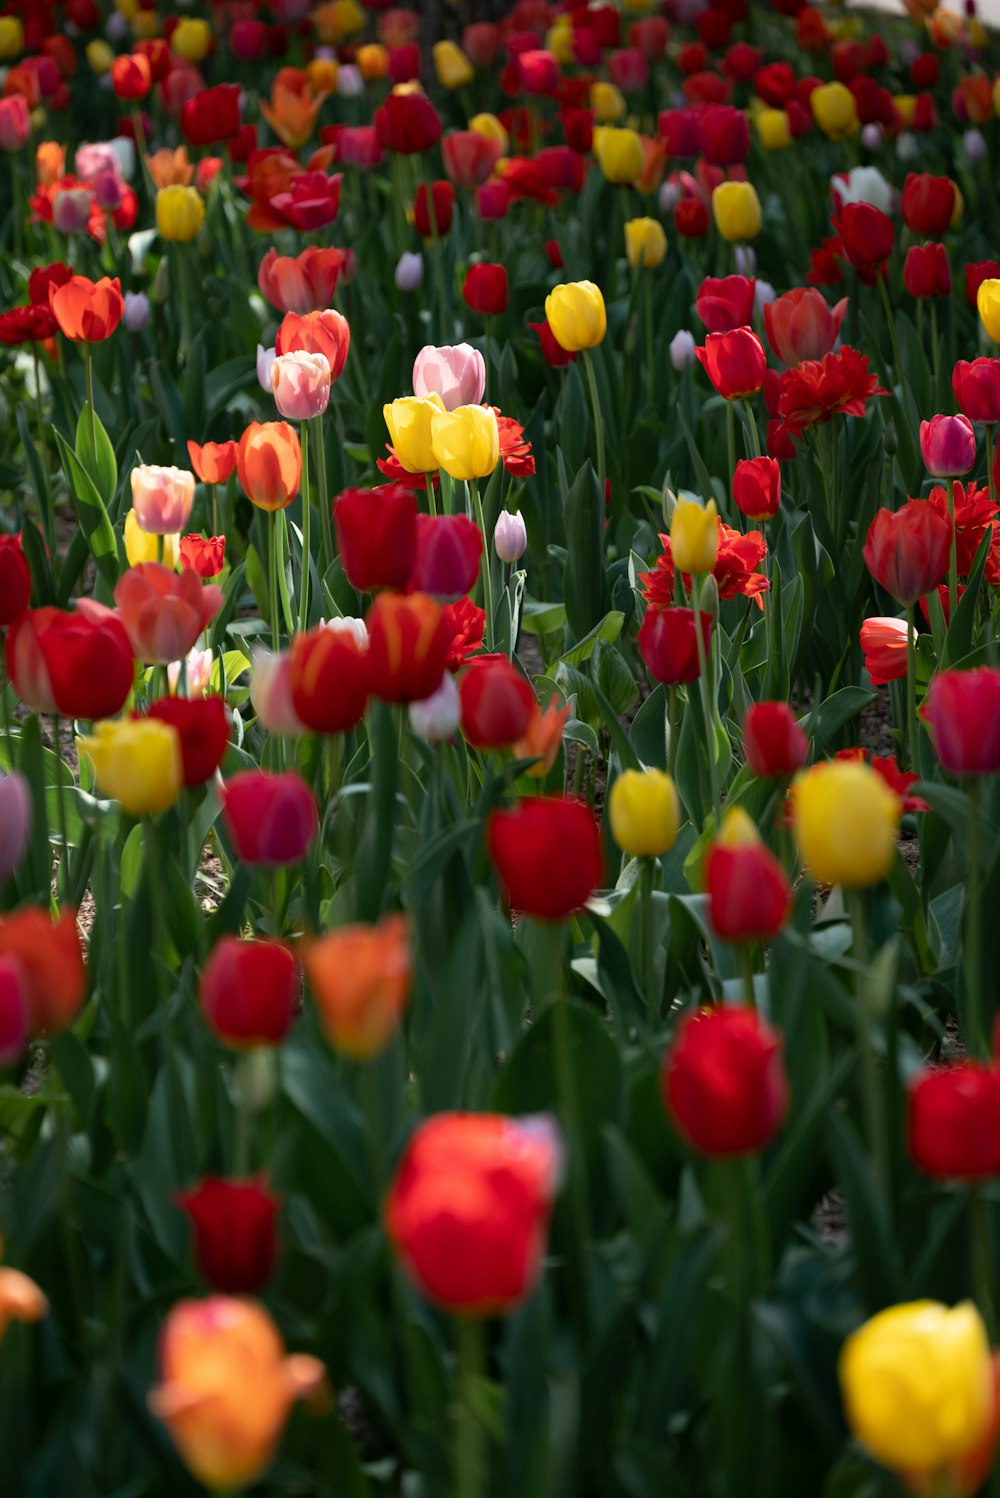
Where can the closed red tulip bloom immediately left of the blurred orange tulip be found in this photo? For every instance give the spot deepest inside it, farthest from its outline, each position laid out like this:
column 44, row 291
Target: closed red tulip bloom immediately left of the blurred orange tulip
column 248, row 992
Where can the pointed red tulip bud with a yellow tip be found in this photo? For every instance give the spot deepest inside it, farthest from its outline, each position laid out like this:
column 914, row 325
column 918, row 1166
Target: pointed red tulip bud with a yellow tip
column 749, row 894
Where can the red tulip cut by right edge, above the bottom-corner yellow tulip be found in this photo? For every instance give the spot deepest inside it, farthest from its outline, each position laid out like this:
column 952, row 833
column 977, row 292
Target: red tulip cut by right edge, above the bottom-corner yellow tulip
column 954, row 1123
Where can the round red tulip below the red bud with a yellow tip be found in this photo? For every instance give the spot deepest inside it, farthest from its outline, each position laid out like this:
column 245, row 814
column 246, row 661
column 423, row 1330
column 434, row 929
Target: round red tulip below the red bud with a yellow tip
column 724, row 1081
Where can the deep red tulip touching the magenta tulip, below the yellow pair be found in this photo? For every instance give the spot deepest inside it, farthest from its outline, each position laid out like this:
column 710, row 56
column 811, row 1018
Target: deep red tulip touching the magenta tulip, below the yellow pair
column 376, row 536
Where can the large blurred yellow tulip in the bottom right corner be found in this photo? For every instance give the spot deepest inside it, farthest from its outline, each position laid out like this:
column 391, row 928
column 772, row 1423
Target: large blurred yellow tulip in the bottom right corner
column 917, row 1386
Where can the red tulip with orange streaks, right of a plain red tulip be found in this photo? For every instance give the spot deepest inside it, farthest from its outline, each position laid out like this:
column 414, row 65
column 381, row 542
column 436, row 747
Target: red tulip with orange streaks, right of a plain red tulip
column 409, row 640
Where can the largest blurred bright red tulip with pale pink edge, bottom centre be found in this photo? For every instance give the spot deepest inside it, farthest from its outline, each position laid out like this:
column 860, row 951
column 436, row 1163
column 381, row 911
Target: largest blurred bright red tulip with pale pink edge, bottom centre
column 469, row 1210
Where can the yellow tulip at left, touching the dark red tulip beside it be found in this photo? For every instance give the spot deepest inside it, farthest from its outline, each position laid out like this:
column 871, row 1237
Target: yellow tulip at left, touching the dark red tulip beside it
column 138, row 763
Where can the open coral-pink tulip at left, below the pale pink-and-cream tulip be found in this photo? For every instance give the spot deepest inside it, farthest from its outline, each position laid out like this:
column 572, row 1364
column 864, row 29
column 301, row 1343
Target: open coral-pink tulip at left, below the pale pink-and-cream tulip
column 162, row 612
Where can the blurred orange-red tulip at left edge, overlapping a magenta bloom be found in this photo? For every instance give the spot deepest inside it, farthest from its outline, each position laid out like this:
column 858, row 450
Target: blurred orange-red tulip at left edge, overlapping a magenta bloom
column 53, row 964
